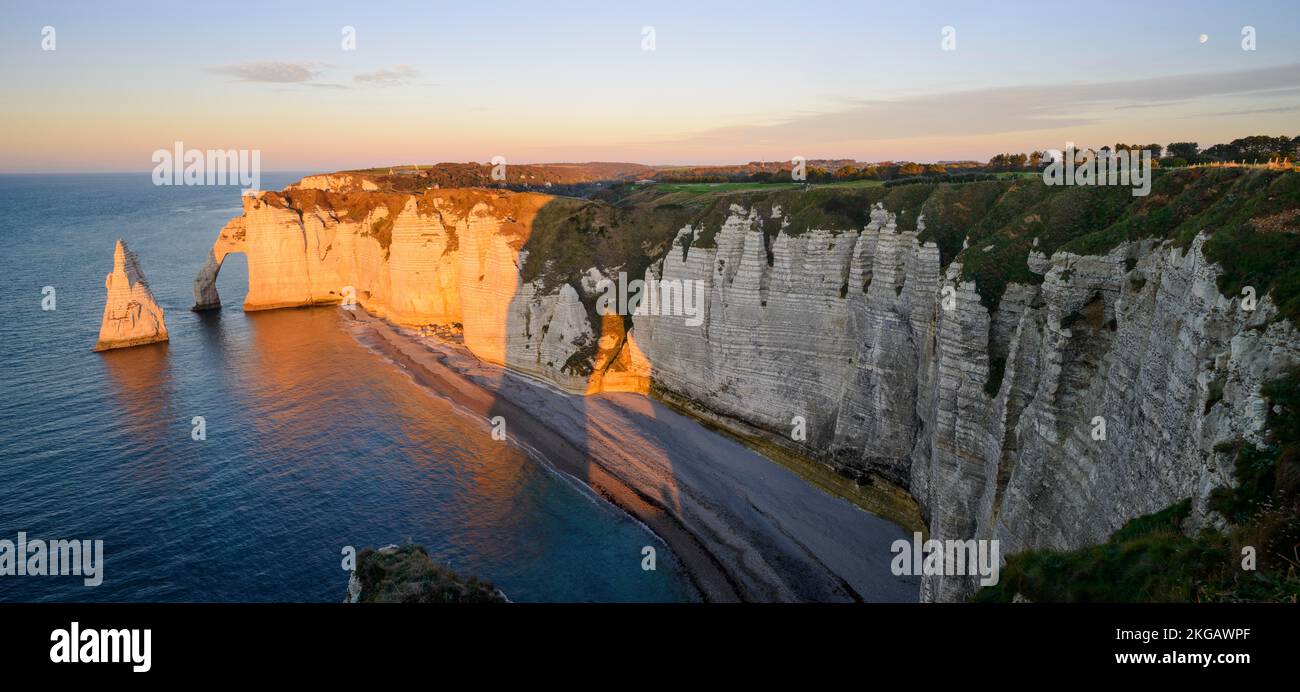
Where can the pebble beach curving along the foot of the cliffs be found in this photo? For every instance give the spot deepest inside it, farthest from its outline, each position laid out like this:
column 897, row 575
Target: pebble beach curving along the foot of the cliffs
column 743, row 526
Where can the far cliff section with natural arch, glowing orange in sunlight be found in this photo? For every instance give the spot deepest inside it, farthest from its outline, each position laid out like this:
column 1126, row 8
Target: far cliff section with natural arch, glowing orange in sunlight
column 450, row 258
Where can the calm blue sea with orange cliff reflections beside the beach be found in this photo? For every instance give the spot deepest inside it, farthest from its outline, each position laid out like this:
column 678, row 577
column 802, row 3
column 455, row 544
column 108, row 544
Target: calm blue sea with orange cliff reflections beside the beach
column 314, row 442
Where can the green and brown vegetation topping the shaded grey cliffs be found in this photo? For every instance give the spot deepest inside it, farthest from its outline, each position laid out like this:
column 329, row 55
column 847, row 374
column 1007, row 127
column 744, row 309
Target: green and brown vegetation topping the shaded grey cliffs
column 1253, row 218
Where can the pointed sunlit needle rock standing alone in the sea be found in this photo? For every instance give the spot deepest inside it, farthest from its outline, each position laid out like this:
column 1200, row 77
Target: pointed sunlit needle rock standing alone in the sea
column 132, row 318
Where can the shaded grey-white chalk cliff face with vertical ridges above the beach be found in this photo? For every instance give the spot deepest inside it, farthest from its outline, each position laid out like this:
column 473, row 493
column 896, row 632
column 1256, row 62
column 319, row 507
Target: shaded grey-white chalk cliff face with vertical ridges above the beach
column 894, row 382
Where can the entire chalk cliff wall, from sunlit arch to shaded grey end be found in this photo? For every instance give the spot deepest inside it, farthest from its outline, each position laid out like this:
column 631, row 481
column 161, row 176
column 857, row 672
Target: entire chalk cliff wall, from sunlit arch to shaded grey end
column 885, row 351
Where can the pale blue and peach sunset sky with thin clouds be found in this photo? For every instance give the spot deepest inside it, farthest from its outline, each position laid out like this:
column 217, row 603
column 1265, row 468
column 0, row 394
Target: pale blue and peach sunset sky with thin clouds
column 574, row 81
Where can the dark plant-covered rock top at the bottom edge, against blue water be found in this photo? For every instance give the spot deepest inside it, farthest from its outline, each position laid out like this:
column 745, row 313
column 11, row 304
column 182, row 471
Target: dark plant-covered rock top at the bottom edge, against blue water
column 408, row 576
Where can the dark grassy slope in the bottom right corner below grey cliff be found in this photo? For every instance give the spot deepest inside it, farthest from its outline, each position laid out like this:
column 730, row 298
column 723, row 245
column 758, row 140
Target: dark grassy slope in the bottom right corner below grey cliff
column 1151, row 559
